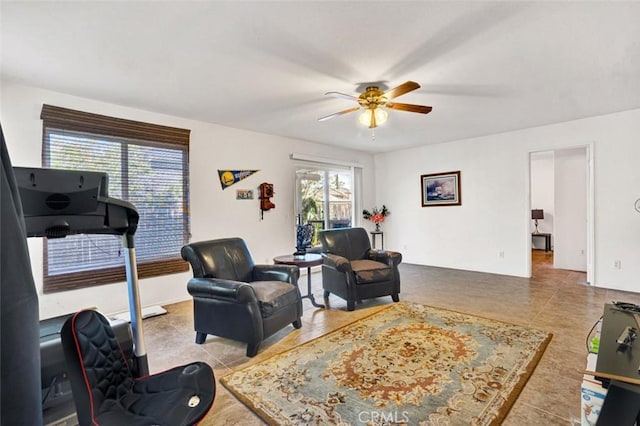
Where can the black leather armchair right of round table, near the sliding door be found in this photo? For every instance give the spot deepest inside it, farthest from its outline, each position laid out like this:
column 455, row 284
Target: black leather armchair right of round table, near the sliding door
column 354, row 271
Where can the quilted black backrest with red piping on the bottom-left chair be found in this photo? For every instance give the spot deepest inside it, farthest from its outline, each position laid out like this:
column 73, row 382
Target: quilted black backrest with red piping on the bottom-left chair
column 97, row 366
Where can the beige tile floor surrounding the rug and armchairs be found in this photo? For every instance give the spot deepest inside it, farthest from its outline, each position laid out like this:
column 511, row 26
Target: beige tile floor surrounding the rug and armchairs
column 557, row 301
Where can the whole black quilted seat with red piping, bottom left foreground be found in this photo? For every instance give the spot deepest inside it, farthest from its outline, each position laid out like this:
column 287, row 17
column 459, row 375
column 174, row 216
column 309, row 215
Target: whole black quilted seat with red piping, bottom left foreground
column 106, row 392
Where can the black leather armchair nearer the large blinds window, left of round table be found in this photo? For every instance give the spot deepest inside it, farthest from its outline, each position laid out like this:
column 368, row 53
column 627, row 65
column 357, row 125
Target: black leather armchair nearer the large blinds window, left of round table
column 236, row 299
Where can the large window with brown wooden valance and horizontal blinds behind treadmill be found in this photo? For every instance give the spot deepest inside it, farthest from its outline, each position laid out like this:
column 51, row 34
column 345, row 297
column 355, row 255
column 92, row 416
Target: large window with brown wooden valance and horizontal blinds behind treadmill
column 147, row 165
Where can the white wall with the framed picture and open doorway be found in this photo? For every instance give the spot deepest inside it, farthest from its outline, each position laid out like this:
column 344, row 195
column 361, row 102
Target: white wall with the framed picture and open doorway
column 494, row 216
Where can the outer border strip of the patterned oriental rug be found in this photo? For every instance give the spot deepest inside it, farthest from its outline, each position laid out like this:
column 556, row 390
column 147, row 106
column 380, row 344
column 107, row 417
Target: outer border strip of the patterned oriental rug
column 504, row 410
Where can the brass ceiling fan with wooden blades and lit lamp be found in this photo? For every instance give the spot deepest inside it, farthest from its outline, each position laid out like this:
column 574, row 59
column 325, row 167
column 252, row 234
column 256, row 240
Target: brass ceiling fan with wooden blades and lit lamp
column 373, row 101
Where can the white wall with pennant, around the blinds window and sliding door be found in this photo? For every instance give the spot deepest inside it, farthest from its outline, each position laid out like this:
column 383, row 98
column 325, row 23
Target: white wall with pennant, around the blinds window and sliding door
column 214, row 213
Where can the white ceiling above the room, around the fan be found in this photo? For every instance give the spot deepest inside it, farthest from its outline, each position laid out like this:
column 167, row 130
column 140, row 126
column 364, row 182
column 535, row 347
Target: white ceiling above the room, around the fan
column 484, row 67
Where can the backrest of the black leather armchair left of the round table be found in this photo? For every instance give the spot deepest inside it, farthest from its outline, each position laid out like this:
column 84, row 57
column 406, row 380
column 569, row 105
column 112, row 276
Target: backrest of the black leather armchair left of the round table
column 226, row 258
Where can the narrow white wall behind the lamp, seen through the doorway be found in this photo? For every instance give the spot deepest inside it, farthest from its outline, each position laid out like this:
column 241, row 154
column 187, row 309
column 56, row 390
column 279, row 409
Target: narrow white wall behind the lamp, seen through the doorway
column 542, row 193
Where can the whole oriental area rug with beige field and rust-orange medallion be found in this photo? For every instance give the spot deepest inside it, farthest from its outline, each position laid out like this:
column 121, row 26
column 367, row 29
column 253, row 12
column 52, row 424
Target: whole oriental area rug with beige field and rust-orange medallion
column 405, row 364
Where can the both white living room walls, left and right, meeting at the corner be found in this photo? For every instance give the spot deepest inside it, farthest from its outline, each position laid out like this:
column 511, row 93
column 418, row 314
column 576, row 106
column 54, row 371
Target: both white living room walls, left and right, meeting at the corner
column 494, row 217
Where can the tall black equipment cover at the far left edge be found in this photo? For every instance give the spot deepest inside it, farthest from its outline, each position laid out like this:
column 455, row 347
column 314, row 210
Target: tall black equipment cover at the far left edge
column 19, row 316
